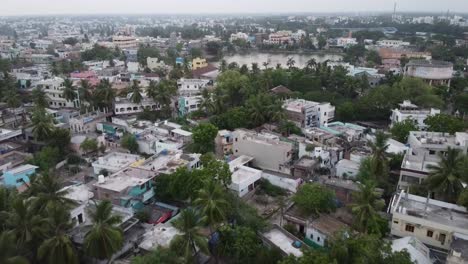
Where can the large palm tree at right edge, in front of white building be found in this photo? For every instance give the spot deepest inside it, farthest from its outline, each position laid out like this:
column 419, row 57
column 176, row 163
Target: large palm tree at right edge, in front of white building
column 446, row 177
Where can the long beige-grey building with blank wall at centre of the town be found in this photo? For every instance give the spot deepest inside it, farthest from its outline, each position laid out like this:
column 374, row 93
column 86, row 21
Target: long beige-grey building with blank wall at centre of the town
column 268, row 151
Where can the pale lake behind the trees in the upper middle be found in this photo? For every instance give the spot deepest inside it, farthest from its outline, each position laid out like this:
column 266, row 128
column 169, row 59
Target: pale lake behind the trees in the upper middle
column 274, row 58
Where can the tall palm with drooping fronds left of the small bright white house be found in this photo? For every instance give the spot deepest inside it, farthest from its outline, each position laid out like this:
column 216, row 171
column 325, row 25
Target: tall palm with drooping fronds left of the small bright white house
column 213, row 204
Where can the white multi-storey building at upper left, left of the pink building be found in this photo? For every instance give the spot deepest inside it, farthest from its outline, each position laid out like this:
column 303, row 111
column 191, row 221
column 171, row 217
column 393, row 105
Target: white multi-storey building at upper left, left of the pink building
column 53, row 89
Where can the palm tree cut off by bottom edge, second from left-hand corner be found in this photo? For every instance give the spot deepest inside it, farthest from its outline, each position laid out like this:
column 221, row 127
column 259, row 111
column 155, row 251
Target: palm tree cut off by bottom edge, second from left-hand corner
column 58, row 247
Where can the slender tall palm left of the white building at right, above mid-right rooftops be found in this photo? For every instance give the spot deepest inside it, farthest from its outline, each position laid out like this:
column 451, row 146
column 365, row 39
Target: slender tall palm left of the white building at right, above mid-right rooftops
column 379, row 162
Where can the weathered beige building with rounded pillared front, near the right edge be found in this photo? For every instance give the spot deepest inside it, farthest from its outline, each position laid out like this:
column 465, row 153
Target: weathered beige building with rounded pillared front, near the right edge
column 431, row 71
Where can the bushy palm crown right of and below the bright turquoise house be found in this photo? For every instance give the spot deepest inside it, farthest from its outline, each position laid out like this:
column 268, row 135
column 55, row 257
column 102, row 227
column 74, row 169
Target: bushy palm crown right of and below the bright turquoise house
column 46, row 190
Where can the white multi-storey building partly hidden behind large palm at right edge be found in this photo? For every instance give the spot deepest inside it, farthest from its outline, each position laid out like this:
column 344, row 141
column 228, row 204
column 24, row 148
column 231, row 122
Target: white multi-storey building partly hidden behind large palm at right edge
column 425, row 148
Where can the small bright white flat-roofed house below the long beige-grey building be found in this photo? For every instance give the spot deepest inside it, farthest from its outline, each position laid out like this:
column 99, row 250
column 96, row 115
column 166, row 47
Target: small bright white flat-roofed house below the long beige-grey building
column 243, row 178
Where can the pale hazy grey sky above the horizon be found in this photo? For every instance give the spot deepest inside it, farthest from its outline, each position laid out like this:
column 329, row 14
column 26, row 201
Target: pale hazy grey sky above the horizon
column 21, row 7
